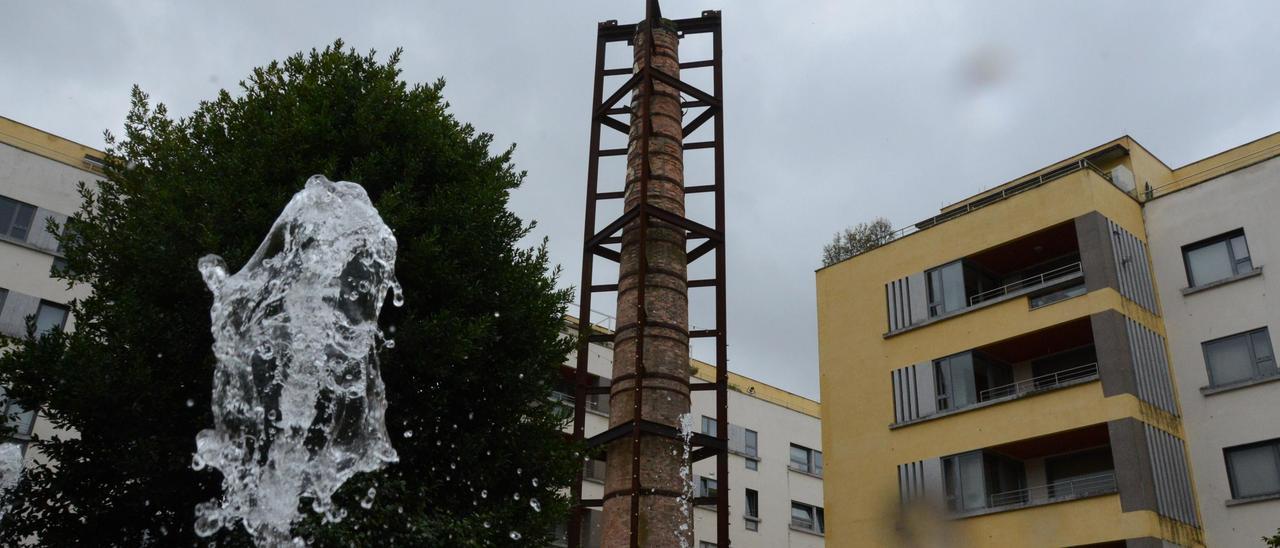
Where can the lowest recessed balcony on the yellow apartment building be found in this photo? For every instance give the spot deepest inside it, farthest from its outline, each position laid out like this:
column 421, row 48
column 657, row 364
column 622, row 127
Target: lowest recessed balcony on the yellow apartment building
column 1046, row 471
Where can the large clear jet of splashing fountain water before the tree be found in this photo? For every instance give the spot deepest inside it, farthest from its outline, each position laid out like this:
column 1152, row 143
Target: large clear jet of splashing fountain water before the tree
column 299, row 401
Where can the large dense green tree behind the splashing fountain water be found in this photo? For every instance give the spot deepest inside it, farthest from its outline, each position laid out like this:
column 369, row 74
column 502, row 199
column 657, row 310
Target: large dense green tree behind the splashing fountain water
column 478, row 341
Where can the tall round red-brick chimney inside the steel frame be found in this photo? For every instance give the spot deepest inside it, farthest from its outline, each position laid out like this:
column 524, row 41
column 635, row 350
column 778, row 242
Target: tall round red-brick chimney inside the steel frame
column 665, row 520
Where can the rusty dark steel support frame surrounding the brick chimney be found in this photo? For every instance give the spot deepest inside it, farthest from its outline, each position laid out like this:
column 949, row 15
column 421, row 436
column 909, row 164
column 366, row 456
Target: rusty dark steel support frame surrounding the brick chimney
column 597, row 245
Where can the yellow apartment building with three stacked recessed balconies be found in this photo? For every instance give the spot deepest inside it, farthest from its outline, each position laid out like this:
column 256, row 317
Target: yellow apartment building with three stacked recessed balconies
column 1000, row 376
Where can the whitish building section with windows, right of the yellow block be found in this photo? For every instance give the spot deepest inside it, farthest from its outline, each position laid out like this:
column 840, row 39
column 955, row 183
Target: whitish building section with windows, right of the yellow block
column 1212, row 245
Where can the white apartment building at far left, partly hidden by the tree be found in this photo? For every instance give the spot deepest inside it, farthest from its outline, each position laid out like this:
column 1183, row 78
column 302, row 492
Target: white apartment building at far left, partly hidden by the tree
column 39, row 179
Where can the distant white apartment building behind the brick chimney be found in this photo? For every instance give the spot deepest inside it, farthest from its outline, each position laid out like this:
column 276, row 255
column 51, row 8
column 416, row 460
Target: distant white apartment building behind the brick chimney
column 775, row 459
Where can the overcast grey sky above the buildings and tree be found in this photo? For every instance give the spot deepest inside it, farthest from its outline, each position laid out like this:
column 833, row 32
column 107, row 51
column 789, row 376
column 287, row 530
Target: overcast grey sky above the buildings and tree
column 836, row 112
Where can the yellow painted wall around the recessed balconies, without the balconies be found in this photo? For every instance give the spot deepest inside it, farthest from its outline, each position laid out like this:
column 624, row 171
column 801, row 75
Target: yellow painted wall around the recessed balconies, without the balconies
column 856, row 359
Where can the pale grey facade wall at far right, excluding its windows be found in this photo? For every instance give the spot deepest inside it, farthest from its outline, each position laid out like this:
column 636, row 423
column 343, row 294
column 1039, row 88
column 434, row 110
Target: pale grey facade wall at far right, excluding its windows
column 1245, row 199
